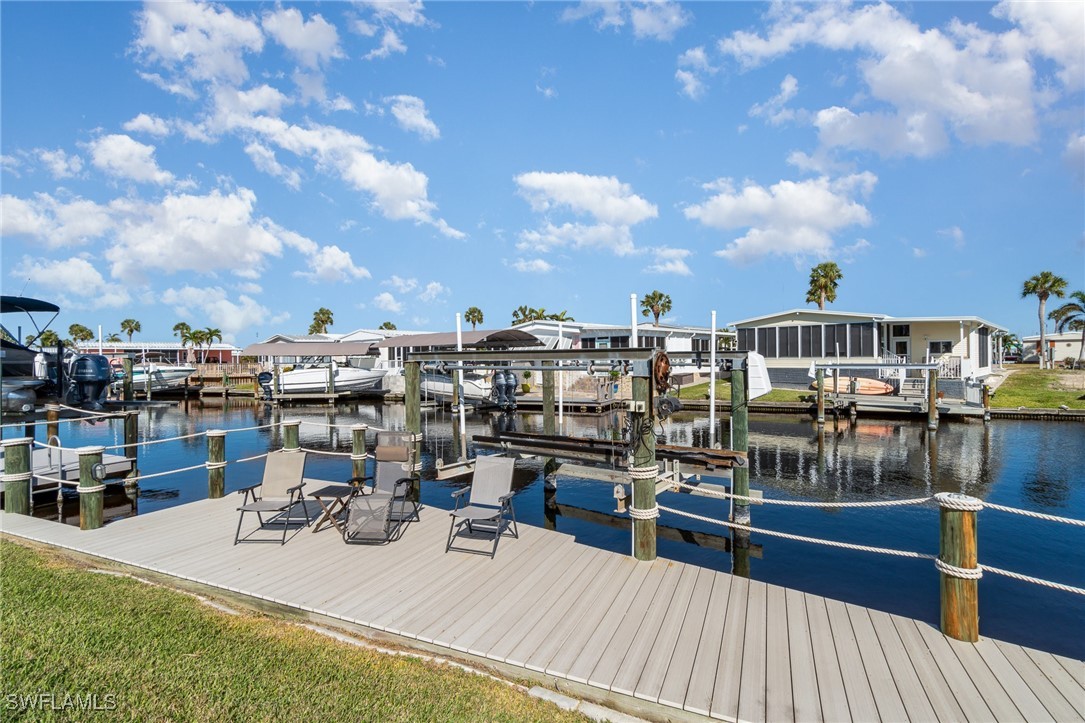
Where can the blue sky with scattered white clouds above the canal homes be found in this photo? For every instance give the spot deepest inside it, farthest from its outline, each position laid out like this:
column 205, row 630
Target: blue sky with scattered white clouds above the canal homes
column 241, row 166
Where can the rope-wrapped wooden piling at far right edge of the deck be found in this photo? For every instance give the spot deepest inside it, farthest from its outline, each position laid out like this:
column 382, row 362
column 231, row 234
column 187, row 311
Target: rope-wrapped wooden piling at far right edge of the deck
column 960, row 572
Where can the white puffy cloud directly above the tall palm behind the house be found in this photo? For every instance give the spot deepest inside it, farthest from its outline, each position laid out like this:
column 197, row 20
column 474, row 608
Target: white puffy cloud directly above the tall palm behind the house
column 789, row 219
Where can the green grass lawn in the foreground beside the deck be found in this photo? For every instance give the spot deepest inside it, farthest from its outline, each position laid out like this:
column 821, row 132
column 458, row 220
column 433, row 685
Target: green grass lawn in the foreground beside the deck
column 163, row 655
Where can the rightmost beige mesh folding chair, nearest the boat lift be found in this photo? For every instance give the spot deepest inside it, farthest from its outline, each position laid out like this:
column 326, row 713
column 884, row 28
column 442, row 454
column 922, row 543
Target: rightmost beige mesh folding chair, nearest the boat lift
column 490, row 502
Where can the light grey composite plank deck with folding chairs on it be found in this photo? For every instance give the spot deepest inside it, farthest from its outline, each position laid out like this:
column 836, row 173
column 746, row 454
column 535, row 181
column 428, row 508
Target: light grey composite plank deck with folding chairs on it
column 691, row 641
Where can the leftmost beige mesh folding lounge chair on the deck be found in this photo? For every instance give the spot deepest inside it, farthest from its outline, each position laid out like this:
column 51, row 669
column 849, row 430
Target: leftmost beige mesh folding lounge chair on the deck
column 278, row 496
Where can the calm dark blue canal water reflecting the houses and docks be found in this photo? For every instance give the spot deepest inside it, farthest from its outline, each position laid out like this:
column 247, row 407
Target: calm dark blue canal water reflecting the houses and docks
column 1028, row 465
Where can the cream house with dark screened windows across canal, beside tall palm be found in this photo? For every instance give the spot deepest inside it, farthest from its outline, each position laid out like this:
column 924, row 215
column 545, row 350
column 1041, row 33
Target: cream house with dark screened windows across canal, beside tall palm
column 964, row 347
